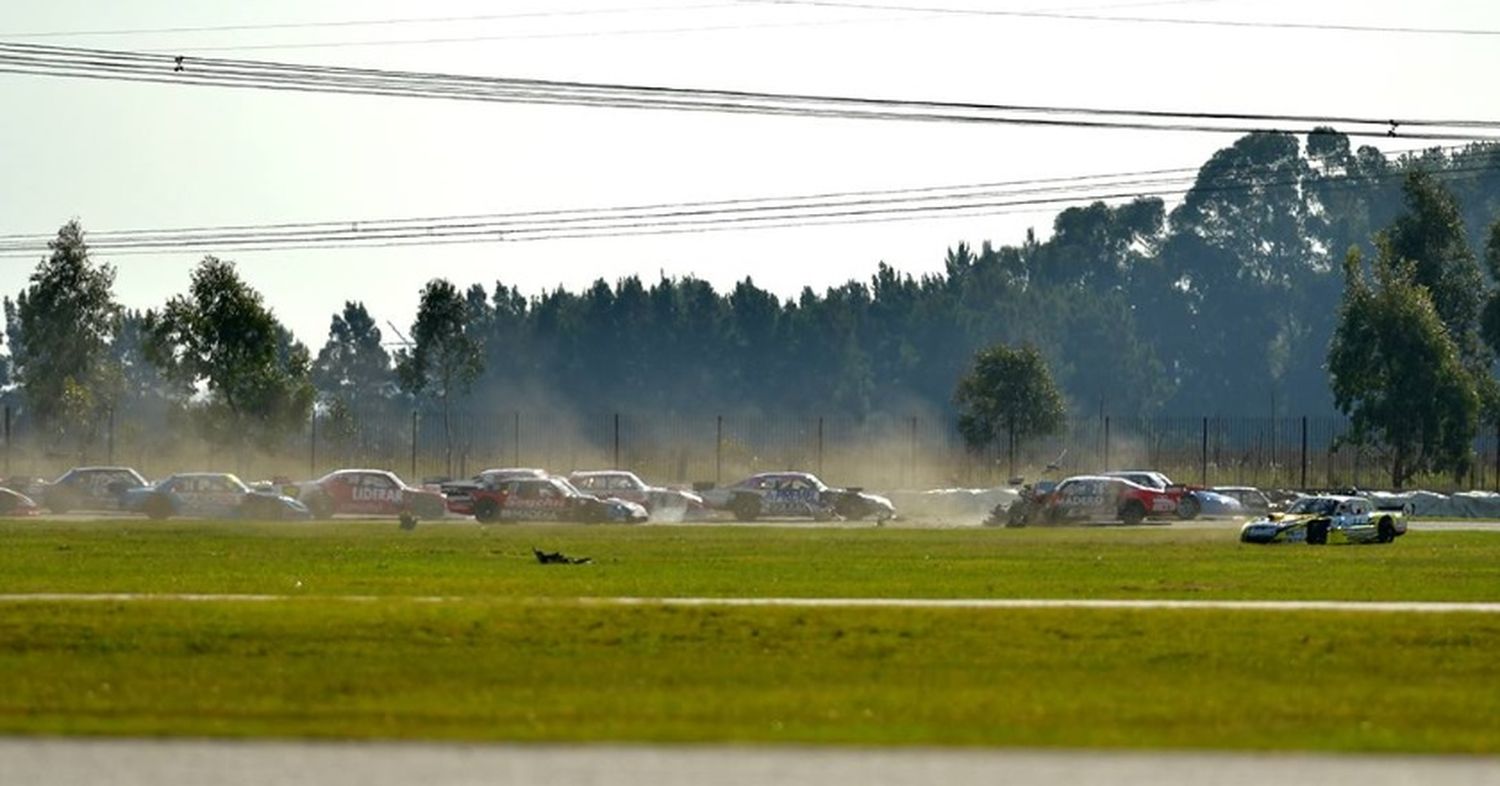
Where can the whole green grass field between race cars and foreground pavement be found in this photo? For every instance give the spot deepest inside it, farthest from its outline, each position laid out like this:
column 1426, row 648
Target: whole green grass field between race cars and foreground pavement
column 511, row 656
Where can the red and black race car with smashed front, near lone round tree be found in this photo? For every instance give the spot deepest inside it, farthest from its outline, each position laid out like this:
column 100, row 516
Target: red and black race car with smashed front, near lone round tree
column 1091, row 499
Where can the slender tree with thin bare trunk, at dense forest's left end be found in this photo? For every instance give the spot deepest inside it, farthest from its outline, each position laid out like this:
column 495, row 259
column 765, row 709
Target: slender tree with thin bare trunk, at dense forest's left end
column 445, row 359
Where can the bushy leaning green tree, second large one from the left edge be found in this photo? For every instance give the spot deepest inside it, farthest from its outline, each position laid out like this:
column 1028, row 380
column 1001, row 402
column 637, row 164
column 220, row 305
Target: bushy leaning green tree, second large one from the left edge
column 221, row 337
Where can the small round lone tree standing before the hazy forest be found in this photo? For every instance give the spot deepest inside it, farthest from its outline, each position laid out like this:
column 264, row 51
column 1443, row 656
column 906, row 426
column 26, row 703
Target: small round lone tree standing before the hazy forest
column 1009, row 394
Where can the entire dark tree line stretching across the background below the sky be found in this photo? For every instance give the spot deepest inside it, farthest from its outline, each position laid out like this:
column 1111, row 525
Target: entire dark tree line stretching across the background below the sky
column 1229, row 304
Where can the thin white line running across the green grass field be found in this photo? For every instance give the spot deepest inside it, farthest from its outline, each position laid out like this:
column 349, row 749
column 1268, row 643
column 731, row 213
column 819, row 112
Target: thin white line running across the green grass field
column 794, row 602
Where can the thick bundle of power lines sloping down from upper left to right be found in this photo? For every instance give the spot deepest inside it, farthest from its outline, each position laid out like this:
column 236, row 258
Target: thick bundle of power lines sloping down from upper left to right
column 269, row 76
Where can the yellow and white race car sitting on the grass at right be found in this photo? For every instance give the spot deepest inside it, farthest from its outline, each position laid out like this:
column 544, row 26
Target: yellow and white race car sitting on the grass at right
column 1330, row 518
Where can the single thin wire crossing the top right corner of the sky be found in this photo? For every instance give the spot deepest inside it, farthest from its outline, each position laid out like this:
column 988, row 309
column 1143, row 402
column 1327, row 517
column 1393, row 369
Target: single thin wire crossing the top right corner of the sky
column 1115, row 19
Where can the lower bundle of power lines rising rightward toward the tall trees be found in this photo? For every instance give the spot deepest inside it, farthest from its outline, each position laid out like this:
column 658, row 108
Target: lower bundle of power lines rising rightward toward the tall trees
column 676, row 218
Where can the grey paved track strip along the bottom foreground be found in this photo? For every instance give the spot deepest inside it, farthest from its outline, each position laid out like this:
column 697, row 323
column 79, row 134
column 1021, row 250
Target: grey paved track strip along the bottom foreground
column 142, row 763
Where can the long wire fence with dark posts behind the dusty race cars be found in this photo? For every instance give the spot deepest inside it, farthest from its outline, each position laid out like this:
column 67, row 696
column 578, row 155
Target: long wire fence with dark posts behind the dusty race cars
column 881, row 452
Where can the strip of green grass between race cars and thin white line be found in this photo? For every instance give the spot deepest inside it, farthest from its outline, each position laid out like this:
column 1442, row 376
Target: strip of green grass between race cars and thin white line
column 730, row 562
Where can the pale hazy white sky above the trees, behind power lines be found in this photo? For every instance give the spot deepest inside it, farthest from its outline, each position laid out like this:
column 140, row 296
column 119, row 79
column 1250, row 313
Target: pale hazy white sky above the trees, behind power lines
column 134, row 157
